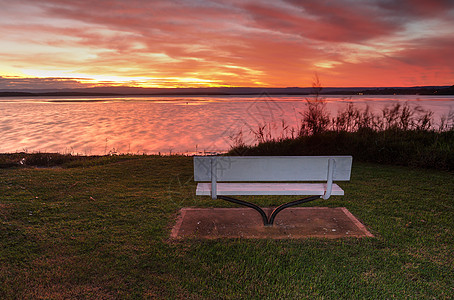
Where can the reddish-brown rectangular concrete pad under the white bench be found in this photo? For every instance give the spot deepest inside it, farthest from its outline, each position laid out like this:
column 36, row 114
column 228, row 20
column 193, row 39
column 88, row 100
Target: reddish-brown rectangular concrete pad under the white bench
column 292, row 223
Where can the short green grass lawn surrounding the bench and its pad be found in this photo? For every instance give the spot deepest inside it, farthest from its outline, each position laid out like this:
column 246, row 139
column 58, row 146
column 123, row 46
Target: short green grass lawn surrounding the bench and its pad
column 100, row 230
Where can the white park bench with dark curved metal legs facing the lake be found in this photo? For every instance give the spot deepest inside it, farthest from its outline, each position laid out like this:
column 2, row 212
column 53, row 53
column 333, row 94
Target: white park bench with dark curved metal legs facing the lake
column 225, row 176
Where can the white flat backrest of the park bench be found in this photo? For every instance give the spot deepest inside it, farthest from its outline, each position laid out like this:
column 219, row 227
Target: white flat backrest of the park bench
column 271, row 168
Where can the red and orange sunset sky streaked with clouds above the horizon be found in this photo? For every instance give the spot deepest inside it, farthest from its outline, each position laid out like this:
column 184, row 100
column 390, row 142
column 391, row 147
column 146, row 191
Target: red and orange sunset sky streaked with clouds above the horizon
column 199, row 43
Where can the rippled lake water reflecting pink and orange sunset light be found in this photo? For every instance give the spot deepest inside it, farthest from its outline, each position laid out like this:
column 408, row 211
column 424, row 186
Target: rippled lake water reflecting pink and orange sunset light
column 170, row 124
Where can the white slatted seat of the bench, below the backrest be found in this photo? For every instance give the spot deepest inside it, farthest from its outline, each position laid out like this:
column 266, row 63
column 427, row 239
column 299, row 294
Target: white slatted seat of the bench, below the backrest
column 232, row 189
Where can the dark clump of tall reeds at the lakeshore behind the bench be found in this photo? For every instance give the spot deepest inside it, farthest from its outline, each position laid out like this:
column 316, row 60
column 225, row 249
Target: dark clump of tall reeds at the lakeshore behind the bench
column 400, row 135
